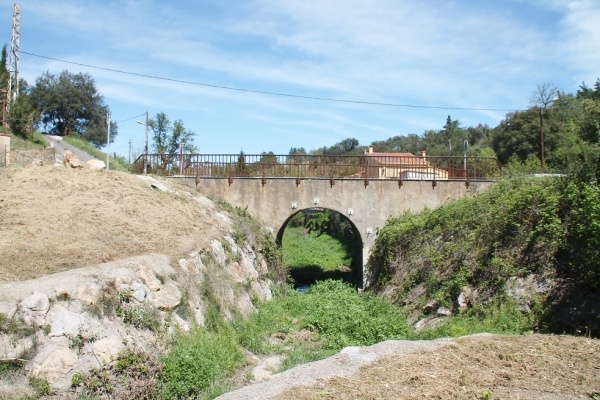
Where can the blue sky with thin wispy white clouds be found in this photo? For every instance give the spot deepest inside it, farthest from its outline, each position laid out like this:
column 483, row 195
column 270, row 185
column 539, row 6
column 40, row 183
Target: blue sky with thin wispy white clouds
column 433, row 53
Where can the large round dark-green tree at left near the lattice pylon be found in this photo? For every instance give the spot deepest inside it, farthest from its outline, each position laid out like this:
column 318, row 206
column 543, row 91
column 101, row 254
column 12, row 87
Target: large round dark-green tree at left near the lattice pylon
column 70, row 103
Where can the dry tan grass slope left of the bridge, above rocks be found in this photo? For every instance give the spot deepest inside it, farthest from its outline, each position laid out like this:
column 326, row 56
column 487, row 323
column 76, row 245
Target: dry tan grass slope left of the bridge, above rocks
column 55, row 219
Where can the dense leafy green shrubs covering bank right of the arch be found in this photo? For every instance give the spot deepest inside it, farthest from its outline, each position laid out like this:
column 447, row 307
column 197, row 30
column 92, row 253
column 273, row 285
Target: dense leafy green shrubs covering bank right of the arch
column 547, row 227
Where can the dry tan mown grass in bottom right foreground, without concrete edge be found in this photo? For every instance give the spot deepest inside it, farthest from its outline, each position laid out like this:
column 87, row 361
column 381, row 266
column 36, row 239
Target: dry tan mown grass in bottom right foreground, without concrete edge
column 513, row 367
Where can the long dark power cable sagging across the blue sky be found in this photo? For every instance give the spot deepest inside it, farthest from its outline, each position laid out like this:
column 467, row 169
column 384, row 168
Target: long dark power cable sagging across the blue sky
column 265, row 92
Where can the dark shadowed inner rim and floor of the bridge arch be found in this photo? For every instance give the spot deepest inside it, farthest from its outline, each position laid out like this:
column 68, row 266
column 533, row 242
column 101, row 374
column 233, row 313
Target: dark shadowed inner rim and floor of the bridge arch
column 312, row 273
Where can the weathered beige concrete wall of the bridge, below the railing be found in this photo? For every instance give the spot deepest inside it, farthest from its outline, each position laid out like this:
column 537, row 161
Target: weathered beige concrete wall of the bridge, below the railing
column 367, row 207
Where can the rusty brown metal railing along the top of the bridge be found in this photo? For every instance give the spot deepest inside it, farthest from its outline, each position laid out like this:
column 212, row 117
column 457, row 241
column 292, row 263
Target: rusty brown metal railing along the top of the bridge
column 368, row 166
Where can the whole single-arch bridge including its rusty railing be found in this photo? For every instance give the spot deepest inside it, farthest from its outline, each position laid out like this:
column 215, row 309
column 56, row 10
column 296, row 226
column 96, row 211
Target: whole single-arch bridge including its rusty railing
column 366, row 189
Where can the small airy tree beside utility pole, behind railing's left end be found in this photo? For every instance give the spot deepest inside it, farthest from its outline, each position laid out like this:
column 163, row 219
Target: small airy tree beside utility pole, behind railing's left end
column 169, row 137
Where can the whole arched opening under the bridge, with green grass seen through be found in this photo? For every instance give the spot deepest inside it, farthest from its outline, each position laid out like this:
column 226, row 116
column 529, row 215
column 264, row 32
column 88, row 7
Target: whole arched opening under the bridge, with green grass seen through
column 321, row 244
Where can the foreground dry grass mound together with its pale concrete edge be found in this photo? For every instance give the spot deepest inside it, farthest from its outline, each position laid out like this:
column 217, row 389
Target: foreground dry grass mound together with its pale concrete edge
column 476, row 367
